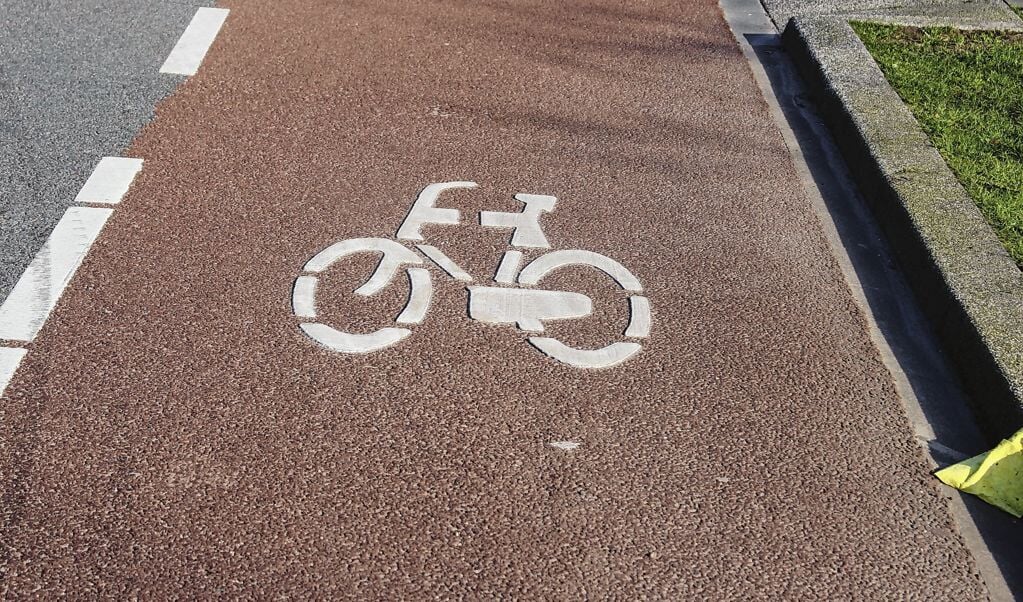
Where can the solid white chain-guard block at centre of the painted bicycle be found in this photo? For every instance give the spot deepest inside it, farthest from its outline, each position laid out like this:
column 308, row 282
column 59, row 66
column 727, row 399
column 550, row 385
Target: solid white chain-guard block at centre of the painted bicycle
column 528, row 309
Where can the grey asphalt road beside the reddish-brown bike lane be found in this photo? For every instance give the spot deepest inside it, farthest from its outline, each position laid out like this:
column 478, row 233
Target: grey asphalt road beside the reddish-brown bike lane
column 78, row 80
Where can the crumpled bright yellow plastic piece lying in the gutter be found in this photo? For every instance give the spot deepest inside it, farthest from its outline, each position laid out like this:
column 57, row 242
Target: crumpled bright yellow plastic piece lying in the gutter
column 996, row 478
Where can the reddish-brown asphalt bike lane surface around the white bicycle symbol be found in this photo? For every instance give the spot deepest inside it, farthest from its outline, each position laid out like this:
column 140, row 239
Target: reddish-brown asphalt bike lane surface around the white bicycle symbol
column 173, row 432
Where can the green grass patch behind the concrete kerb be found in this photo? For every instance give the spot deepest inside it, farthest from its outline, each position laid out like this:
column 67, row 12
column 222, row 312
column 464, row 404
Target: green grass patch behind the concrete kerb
column 966, row 90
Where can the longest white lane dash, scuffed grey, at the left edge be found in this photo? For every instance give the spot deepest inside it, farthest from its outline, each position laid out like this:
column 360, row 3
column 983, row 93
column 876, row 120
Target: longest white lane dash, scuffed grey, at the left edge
column 39, row 289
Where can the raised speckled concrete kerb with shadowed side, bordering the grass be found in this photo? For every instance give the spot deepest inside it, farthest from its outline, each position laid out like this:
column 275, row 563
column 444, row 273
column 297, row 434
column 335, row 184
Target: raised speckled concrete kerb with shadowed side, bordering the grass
column 969, row 288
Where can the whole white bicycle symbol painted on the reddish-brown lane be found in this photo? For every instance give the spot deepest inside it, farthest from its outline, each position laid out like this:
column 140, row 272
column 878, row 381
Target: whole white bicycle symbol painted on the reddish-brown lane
column 514, row 302
